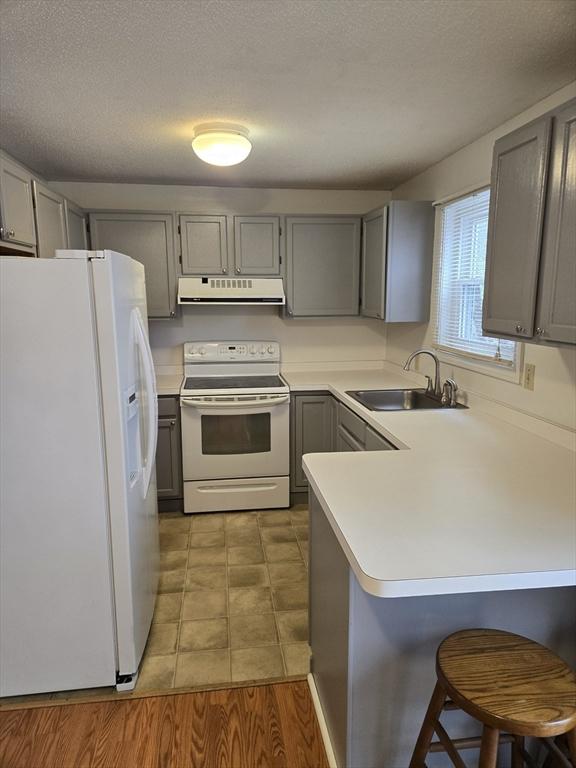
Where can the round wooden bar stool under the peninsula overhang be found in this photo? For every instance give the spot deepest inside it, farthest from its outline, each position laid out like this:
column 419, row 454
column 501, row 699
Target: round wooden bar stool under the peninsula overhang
column 513, row 686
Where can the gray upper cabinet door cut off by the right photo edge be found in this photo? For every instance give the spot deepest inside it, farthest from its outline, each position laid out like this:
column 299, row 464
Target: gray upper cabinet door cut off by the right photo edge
column 557, row 310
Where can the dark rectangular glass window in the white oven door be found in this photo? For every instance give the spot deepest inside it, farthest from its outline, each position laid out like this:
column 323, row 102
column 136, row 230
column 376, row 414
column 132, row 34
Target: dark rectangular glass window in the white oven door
column 227, row 435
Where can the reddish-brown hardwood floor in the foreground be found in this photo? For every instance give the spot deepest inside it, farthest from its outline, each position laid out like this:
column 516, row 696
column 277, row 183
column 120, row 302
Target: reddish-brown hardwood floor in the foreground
column 268, row 726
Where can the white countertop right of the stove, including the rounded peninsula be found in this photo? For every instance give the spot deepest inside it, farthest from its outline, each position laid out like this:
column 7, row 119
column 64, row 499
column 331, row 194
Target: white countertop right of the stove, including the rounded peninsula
column 471, row 504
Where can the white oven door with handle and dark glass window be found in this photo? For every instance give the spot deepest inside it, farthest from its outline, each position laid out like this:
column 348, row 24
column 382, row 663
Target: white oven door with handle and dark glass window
column 235, row 436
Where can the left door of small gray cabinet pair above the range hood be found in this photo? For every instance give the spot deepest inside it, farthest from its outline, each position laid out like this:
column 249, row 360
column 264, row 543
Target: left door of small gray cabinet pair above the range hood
column 204, row 245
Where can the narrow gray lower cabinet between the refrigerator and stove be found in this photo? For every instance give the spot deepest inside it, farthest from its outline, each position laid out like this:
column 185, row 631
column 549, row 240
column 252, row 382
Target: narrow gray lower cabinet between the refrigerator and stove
column 169, row 451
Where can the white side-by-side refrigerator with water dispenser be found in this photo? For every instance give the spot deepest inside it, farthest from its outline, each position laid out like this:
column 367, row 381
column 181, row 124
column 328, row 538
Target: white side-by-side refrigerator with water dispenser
column 78, row 507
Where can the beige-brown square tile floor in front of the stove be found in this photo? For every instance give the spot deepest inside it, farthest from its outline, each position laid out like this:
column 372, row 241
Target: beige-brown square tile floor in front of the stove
column 233, row 600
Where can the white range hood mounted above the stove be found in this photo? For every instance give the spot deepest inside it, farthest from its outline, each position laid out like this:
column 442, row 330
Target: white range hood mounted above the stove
column 231, row 290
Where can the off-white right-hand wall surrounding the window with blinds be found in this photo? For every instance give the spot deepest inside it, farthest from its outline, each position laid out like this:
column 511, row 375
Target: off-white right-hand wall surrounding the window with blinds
column 554, row 395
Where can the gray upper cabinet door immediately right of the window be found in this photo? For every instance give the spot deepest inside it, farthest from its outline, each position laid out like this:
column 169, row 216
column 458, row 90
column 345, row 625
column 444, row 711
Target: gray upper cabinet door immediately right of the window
column 517, row 199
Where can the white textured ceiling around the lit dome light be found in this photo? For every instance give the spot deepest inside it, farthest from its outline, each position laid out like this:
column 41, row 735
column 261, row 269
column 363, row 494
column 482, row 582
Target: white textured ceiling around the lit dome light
column 336, row 93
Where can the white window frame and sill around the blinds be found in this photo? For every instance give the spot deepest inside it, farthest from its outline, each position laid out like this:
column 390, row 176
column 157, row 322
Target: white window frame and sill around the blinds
column 506, row 370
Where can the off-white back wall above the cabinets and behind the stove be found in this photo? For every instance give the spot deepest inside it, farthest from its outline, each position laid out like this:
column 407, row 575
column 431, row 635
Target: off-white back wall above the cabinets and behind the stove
column 321, row 340
